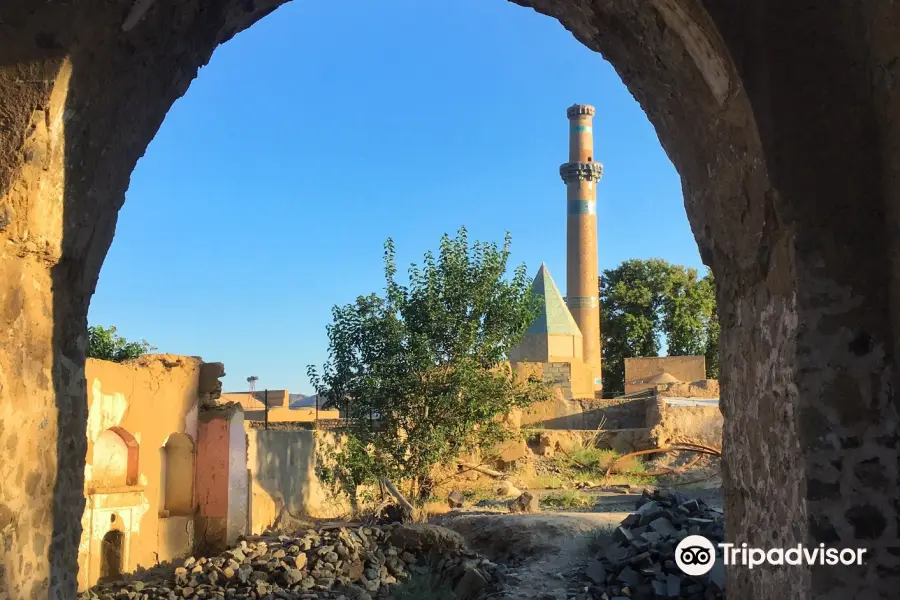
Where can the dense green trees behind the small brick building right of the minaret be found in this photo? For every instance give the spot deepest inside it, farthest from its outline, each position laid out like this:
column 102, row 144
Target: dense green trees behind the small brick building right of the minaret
column 644, row 302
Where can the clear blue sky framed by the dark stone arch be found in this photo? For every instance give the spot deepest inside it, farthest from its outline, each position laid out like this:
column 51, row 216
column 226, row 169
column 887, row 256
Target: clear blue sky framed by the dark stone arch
column 267, row 194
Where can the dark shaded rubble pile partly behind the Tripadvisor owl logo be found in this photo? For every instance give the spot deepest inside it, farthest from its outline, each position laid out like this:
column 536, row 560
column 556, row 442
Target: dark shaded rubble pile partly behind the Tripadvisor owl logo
column 639, row 562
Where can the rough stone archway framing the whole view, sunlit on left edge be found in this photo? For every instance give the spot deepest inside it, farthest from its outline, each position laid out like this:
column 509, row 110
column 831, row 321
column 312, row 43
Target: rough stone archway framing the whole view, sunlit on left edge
column 781, row 116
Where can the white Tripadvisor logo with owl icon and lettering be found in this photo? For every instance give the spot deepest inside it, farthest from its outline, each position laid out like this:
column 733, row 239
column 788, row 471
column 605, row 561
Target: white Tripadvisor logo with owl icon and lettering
column 695, row 555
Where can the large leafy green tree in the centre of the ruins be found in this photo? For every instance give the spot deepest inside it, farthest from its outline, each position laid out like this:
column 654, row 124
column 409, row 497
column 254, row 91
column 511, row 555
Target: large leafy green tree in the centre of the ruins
column 420, row 371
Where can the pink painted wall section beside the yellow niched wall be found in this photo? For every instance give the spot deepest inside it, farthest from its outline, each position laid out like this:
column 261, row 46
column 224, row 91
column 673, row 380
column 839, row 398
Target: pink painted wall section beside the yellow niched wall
column 212, row 472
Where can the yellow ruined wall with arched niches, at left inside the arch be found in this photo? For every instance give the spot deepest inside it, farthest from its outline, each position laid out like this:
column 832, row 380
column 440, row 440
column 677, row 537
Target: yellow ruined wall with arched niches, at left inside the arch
column 141, row 414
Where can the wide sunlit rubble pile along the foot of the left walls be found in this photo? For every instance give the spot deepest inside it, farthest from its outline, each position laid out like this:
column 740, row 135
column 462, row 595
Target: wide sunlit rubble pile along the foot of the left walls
column 346, row 563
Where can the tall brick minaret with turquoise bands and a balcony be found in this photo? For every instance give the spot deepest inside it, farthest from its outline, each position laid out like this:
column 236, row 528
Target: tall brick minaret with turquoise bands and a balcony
column 581, row 175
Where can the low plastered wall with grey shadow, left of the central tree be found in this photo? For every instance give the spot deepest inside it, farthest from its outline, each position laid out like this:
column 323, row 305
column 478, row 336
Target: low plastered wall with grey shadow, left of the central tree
column 282, row 467
